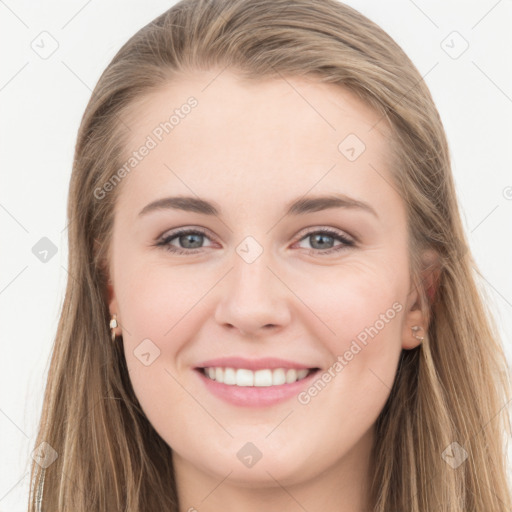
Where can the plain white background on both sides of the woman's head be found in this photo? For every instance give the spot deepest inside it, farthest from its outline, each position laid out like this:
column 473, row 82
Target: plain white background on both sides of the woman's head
column 42, row 101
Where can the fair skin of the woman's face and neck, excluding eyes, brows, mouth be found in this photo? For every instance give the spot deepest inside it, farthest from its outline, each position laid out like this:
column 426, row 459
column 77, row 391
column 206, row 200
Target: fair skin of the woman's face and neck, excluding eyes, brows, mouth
column 252, row 147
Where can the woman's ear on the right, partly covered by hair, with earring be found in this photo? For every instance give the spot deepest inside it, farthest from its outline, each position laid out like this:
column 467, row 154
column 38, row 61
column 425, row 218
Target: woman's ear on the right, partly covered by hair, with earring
column 415, row 315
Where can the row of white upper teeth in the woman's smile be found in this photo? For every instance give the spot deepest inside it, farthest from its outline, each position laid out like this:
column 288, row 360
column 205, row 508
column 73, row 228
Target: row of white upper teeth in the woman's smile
column 259, row 378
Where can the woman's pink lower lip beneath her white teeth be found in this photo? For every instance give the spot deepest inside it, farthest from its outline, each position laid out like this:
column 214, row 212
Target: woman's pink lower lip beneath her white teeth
column 255, row 396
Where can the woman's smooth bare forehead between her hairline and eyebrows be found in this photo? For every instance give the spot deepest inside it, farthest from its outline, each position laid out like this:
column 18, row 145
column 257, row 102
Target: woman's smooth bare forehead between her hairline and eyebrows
column 272, row 137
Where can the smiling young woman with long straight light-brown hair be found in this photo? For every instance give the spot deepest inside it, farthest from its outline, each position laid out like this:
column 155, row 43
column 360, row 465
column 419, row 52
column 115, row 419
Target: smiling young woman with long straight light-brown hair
column 249, row 370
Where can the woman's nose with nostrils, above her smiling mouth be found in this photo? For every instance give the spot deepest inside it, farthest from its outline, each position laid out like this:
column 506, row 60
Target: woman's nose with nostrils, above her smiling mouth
column 254, row 299
